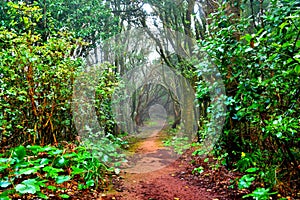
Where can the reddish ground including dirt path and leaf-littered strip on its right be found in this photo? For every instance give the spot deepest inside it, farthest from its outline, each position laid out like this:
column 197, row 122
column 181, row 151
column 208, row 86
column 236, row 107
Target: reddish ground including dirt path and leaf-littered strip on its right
column 172, row 182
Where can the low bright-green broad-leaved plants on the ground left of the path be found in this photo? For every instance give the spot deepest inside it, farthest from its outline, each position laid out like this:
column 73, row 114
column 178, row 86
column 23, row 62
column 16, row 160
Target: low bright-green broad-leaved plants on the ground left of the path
column 34, row 169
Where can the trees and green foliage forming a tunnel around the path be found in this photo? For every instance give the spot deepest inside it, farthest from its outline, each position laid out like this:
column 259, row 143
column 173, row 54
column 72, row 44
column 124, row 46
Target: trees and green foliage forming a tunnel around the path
column 46, row 44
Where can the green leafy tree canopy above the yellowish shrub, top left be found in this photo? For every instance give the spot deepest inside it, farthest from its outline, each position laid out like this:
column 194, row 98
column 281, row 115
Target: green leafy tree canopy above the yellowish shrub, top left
column 90, row 20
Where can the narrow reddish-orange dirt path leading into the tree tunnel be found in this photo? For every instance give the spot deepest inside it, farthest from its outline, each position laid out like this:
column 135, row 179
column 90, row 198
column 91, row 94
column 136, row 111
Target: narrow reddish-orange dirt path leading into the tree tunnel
column 142, row 182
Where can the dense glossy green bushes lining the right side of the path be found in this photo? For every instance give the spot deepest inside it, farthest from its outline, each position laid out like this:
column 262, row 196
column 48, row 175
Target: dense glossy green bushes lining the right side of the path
column 260, row 70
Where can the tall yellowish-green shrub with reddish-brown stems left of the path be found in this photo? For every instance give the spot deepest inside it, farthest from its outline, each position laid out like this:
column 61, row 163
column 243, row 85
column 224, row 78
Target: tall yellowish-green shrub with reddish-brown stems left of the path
column 36, row 80
